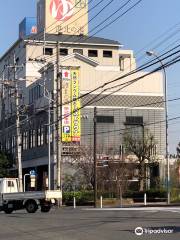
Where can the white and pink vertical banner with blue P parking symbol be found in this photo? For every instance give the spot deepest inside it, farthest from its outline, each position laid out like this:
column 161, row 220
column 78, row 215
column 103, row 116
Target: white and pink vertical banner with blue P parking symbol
column 66, row 106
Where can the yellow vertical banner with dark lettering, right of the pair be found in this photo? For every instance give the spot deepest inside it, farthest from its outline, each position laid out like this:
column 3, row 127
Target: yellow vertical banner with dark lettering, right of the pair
column 75, row 108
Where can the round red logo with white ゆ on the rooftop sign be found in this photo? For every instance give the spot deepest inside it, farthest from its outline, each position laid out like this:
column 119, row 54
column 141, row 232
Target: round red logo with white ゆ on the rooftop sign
column 61, row 10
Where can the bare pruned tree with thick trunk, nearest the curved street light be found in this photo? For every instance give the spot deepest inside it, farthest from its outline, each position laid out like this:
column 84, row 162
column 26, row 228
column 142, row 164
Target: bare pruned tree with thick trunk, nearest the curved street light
column 142, row 146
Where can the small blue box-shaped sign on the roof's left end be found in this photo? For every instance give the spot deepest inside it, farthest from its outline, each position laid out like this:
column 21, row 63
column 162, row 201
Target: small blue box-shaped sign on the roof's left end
column 27, row 27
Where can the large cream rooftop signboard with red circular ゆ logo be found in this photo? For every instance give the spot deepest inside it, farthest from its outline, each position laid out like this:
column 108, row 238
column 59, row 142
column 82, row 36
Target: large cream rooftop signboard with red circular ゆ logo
column 63, row 16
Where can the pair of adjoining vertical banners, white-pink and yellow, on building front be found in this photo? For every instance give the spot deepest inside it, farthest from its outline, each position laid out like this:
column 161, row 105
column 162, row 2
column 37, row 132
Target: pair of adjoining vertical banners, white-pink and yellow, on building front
column 71, row 115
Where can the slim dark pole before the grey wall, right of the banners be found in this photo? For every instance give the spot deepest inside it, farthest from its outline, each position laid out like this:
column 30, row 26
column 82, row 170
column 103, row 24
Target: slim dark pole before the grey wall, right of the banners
column 95, row 158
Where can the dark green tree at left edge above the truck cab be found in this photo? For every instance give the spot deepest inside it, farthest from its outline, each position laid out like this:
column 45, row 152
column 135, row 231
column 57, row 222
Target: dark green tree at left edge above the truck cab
column 5, row 165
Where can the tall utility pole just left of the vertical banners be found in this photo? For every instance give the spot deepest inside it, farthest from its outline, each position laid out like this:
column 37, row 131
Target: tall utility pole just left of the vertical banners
column 58, row 121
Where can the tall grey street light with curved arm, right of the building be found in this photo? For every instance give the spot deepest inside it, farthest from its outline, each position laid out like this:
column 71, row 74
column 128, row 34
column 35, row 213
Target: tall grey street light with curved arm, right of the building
column 152, row 53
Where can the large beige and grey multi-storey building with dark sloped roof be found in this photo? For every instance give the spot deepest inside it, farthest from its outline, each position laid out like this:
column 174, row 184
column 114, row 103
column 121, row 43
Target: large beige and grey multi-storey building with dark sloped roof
column 86, row 66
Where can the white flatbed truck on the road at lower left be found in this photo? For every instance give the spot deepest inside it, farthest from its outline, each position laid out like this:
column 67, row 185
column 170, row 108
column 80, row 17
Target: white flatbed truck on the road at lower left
column 12, row 199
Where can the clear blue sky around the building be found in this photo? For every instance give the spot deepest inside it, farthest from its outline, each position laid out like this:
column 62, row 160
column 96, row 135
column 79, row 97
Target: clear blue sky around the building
column 151, row 25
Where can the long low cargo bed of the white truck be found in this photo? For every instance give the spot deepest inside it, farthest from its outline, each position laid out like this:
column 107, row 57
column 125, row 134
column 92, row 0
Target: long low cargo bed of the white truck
column 54, row 194
